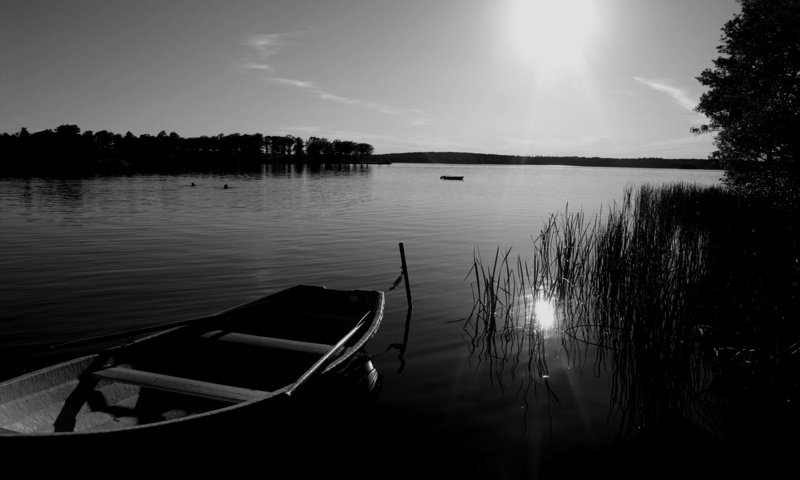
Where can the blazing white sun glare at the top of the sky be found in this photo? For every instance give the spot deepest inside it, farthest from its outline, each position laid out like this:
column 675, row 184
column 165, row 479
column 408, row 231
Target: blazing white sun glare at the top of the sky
column 550, row 35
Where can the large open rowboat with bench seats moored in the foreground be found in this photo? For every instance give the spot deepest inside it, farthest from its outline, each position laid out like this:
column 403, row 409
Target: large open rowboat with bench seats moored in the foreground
column 226, row 369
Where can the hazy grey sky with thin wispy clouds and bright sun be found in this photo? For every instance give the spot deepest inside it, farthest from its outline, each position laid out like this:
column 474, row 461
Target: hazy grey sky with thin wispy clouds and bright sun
column 607, row 78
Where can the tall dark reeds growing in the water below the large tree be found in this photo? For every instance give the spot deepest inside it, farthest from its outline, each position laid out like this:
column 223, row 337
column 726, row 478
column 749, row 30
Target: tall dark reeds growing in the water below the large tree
column 688, row 295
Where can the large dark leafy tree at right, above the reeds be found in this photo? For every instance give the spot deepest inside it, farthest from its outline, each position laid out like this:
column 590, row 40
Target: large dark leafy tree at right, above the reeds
column 753, row 97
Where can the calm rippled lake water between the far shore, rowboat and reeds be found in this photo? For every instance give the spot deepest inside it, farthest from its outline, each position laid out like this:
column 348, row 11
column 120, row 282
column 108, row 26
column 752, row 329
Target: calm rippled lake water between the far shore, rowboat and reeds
column 86, row 257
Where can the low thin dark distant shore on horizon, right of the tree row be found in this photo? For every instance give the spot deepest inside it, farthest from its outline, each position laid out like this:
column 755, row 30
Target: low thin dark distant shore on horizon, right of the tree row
column 491, row 159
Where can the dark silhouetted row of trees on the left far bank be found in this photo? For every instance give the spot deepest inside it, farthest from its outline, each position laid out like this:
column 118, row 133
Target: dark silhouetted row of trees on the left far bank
column 68, row 151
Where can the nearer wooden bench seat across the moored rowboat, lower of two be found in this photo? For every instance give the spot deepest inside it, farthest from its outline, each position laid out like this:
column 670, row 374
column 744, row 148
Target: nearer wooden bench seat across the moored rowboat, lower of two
column 186, row 386
